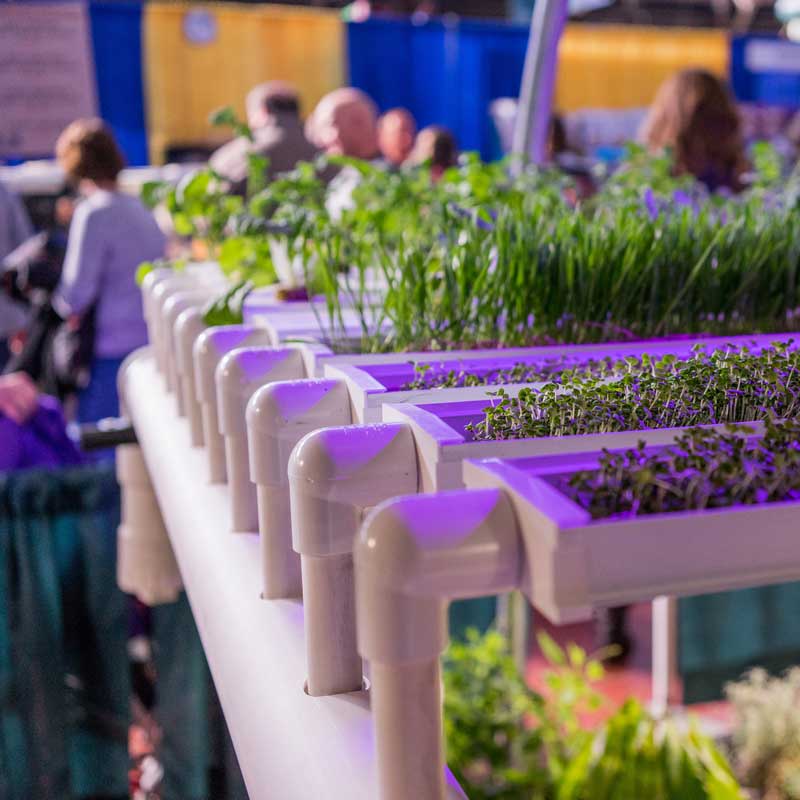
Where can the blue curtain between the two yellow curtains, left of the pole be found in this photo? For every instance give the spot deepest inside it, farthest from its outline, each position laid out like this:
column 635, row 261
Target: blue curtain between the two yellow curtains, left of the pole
column 445, row 72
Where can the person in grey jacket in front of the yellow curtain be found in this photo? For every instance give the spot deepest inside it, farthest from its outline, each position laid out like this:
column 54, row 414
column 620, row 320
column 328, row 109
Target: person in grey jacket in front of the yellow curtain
column 273, row 115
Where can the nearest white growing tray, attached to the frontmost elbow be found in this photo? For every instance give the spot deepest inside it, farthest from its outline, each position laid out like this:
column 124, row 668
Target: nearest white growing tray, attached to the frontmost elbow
column 576, row 562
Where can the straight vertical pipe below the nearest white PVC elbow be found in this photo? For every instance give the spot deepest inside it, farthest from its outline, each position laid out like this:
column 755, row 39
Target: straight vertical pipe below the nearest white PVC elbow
column 408, row 697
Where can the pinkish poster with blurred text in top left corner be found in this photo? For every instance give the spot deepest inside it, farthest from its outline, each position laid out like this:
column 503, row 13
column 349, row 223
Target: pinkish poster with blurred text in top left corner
column 46, row 74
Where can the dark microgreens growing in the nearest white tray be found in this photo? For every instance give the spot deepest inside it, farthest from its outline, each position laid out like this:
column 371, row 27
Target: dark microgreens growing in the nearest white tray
column 704, row 469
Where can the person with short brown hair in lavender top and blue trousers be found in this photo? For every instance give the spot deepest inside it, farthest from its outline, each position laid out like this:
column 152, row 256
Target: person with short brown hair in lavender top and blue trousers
column 110, row 235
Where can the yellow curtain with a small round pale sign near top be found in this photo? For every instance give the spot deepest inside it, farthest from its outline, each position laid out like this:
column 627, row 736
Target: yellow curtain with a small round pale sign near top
column 198, row 58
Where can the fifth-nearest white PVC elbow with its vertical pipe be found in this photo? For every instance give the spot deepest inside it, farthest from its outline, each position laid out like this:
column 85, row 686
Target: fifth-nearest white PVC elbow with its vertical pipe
column 209, row 349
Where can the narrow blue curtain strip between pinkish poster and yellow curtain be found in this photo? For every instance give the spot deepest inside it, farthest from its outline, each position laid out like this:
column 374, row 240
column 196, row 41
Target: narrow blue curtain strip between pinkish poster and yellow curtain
column 117, row 45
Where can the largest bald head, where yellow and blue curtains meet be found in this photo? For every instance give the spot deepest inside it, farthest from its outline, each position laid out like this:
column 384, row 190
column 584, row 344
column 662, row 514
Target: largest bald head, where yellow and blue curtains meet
column 345, row 123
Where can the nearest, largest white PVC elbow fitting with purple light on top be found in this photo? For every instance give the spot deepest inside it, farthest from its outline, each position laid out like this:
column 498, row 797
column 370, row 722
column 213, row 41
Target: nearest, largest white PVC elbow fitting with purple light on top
column 413, row 552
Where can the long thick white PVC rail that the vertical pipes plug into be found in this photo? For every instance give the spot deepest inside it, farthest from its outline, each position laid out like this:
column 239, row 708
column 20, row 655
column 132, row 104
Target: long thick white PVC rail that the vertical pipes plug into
column 288, row 744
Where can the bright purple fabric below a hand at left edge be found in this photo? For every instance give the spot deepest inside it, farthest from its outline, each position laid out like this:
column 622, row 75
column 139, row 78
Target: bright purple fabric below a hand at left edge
column 41, row 442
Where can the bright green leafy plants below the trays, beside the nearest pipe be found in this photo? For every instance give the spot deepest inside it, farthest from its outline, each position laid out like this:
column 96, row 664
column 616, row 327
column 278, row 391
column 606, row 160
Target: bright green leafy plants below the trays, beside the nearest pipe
column 508, row 742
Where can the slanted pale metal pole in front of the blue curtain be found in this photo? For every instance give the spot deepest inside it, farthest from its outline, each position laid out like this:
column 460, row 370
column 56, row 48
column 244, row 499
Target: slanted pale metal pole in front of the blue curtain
column 538, row 82
